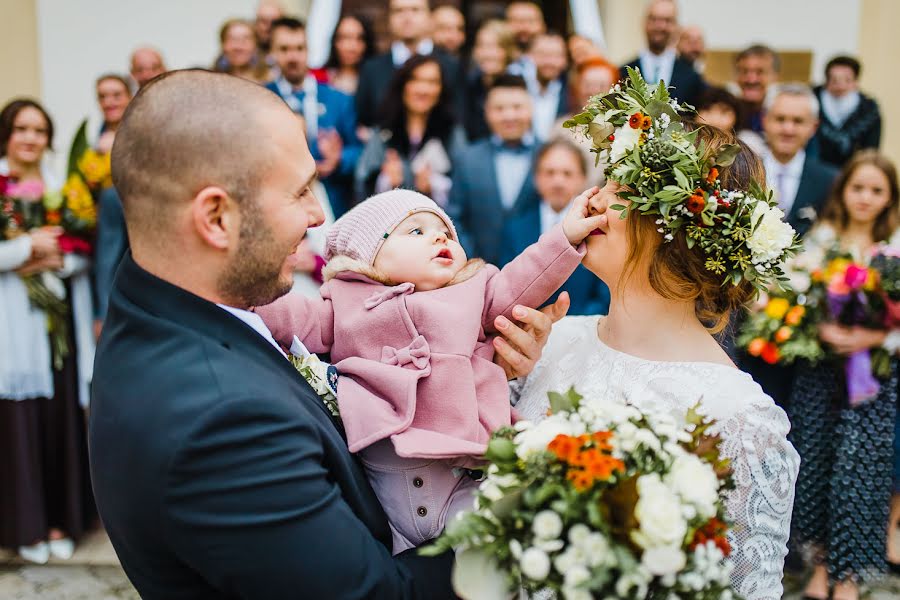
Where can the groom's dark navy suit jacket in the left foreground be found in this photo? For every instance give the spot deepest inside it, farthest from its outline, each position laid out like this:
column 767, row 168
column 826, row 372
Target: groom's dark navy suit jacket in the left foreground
column 217, row 470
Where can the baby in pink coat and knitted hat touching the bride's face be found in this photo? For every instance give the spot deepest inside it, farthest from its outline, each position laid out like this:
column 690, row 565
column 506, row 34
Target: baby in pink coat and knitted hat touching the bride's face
column 407, row 320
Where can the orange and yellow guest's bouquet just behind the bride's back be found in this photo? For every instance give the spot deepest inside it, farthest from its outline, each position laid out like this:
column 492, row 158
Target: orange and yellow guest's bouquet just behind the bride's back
column 781, row 332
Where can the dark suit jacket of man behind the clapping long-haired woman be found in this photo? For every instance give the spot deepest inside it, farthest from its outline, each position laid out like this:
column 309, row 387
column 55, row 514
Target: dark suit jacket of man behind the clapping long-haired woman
column 375, row 78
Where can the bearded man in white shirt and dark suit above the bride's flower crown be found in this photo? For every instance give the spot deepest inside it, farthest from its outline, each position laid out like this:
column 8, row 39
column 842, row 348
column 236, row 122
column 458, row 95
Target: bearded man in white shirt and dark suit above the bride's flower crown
column 659, row 60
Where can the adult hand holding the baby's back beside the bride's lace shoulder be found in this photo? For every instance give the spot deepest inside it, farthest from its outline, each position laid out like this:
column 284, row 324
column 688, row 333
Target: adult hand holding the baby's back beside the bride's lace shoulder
column 519, row 348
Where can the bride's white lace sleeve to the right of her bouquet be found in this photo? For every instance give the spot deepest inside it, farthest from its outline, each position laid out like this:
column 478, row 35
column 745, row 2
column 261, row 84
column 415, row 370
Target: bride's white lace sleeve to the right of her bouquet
column 765, row 470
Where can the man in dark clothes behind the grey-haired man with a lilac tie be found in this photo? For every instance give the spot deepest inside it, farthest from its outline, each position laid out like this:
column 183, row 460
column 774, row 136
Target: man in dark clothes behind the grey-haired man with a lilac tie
column 756, row 72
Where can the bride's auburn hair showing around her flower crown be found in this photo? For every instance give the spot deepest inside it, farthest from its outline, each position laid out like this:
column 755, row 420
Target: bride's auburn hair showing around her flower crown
column 677, row 272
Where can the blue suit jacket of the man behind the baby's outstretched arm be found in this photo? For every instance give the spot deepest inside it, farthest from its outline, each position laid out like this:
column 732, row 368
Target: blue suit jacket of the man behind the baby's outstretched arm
column 588, row 294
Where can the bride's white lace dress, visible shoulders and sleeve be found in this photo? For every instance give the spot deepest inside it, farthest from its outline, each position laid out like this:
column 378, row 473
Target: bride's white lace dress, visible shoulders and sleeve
column 752, row 428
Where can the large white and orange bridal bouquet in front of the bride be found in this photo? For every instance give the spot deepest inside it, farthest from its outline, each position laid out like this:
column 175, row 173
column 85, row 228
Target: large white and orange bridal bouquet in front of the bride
column 600, row 499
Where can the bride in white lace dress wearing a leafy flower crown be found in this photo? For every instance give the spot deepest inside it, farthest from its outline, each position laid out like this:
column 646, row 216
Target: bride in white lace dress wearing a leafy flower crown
column 669, row 292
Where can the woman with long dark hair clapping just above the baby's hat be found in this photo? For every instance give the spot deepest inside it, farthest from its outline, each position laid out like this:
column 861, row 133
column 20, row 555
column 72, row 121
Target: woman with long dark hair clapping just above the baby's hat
column 417, row 140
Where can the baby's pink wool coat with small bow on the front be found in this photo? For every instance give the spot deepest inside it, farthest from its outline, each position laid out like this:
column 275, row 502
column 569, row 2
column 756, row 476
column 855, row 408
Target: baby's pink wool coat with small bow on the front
column 417, row 366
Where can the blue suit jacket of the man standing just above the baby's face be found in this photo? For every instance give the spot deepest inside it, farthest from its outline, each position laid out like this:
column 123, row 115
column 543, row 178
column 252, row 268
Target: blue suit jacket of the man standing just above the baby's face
column 475, row 205
